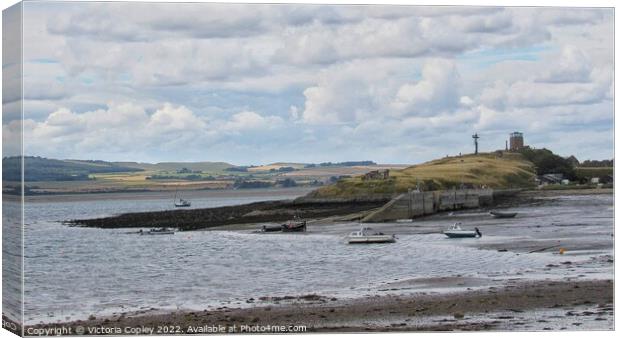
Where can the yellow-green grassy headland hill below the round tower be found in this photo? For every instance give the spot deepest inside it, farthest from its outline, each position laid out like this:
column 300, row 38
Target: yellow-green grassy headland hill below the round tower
column 510, row 170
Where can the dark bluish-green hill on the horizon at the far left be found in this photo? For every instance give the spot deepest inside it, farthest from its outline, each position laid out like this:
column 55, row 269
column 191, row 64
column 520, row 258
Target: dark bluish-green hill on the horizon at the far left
column 45, row 169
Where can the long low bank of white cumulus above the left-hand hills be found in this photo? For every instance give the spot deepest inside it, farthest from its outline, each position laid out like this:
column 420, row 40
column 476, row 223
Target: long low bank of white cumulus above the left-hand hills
column 124, row 128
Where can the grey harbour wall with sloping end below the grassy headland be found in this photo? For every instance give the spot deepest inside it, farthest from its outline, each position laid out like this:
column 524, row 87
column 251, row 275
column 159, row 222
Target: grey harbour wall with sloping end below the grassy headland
column 419, row 203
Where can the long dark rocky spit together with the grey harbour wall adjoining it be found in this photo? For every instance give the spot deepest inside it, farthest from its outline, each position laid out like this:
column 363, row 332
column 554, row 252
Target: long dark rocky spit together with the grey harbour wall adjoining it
column 379, row 208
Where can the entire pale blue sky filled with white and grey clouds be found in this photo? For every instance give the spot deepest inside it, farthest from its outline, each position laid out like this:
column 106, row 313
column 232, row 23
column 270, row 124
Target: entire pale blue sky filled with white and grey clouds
column 251, row 84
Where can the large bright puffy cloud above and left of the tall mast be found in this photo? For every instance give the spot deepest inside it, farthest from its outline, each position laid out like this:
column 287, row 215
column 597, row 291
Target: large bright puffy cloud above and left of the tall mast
column 348, row 94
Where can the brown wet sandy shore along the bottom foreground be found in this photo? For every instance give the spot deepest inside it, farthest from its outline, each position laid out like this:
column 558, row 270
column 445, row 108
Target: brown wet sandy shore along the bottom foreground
column 581, row 304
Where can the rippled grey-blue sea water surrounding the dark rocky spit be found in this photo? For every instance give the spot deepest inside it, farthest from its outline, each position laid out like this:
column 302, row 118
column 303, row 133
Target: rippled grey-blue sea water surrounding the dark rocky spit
column 72, row 273
